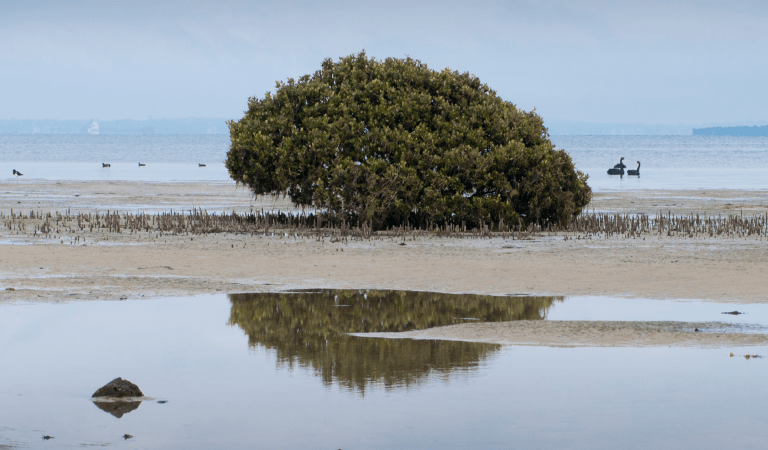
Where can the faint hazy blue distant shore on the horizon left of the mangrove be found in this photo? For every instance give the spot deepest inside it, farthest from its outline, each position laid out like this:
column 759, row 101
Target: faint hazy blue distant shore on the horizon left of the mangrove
column 151, row 126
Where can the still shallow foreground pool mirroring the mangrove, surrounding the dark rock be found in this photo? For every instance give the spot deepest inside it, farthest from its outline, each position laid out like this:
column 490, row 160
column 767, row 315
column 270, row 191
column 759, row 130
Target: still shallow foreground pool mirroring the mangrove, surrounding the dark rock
column 279, row 371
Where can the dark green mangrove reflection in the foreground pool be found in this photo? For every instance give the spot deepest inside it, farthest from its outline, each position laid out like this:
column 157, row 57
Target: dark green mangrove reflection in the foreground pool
column 309, row 329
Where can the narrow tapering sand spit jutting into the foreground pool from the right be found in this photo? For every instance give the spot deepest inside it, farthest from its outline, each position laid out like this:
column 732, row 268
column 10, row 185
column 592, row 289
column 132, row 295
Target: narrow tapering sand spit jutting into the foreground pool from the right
column 588, row 334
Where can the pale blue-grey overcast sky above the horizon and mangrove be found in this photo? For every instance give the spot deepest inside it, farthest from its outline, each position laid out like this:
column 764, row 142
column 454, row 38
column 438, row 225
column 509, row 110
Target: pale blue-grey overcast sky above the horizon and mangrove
column 665, row 62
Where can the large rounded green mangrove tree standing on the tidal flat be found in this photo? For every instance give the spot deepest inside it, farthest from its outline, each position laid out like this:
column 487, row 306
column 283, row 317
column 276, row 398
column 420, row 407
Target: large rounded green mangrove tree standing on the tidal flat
column 393, row 142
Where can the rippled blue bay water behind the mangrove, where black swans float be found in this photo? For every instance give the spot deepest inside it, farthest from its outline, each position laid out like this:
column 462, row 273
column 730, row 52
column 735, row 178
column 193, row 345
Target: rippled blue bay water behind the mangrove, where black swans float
column 668, row 162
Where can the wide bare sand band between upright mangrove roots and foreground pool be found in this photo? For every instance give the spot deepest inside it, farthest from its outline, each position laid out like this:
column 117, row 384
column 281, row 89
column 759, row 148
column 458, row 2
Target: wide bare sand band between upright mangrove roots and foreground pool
column 113, row 265
